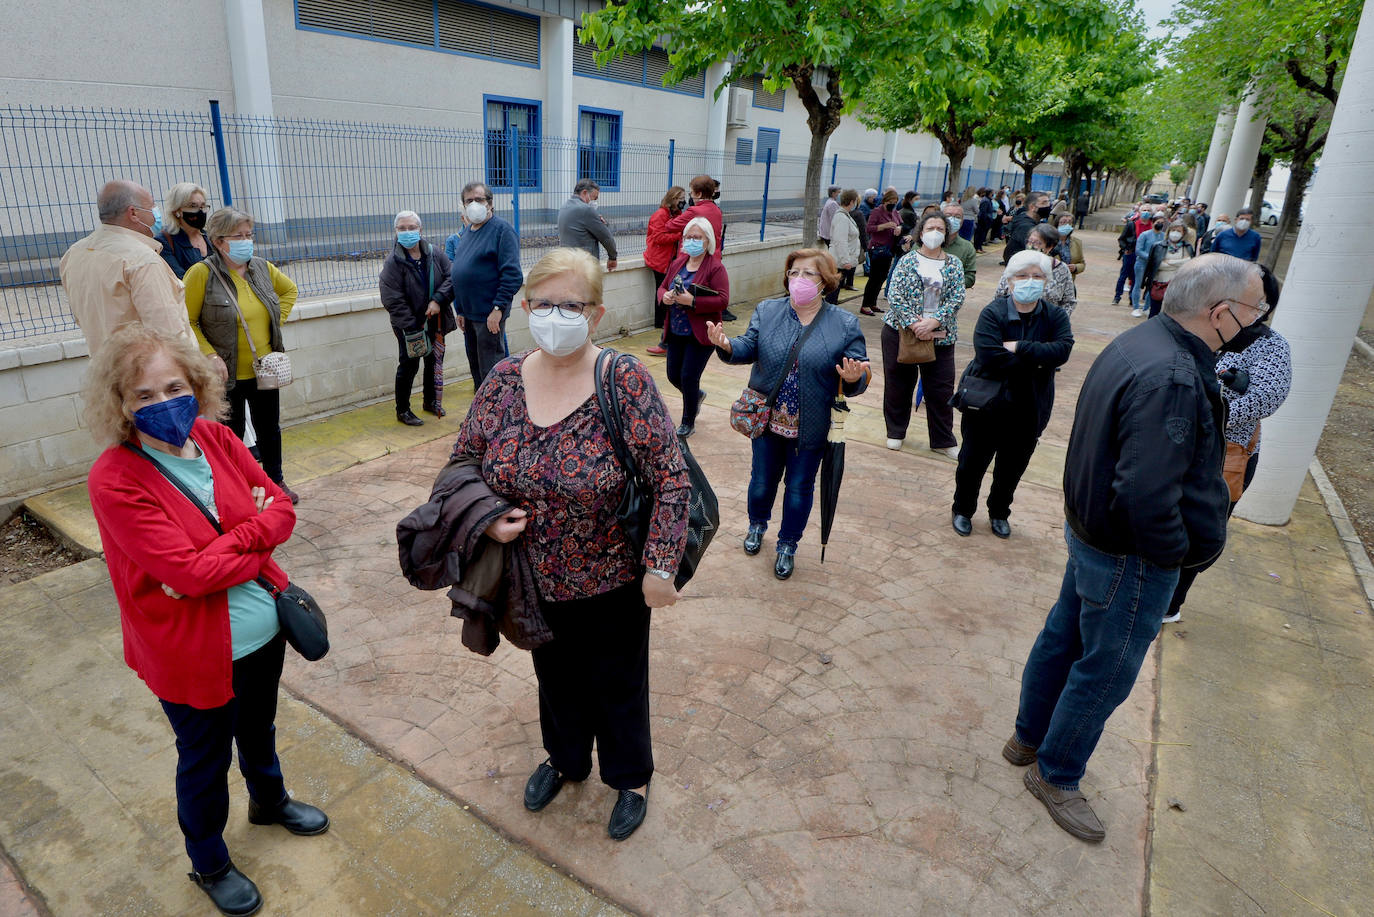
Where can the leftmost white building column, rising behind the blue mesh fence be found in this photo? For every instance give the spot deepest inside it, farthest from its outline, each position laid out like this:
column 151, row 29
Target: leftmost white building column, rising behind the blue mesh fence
column 260, row 193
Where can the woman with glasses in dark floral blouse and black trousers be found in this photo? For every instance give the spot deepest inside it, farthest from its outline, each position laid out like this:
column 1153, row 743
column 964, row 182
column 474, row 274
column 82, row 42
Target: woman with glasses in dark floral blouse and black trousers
column 543, row 443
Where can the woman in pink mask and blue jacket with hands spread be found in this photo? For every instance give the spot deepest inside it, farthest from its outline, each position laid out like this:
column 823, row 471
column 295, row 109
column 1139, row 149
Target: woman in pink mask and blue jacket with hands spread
column 831, row 358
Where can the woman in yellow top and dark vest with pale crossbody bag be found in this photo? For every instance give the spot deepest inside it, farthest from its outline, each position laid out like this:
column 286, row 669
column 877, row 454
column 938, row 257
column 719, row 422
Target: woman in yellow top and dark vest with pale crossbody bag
column 237, row 303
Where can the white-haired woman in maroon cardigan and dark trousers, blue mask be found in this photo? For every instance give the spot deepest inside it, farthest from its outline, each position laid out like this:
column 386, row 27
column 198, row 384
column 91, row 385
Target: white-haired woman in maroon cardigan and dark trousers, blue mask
column 696, row 289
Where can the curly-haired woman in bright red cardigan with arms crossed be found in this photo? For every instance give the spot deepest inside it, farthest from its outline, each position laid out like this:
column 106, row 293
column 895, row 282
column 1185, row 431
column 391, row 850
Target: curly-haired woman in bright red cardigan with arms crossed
column 200, row 629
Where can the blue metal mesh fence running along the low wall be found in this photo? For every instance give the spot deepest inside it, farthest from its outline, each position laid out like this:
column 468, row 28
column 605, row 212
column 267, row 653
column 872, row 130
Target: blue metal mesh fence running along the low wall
column 324, row 193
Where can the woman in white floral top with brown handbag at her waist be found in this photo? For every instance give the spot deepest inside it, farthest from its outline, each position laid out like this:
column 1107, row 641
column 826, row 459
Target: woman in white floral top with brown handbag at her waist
column 925, row 296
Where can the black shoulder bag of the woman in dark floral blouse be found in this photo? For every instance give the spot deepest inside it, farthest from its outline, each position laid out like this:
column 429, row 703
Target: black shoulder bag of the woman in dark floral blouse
column 637, row 504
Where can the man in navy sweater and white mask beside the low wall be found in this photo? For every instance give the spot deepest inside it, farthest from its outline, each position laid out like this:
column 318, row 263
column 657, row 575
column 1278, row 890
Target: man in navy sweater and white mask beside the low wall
column 486, row 276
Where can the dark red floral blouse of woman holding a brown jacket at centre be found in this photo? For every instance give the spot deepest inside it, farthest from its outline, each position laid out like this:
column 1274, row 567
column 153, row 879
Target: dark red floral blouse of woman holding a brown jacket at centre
column 568, row 479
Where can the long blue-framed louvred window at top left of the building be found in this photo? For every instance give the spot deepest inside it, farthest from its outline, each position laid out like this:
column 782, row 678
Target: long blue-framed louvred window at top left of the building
column 453, row 27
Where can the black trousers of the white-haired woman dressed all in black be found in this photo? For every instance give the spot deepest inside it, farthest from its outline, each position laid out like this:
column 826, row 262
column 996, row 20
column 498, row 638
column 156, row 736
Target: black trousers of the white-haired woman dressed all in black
column 1002, row 438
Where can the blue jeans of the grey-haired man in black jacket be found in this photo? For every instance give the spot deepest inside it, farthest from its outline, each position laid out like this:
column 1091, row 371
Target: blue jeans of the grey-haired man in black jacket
column 1089, row 654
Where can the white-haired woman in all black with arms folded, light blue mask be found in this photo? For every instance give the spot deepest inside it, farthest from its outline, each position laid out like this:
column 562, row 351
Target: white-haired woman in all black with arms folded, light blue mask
column 1006, row 394
